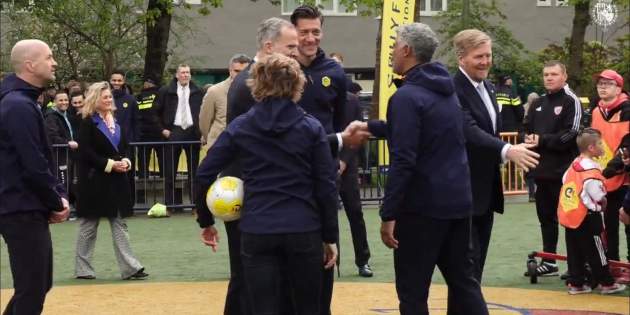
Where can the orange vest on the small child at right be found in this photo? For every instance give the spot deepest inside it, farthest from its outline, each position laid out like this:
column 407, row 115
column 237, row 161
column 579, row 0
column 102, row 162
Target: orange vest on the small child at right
column 571, row 209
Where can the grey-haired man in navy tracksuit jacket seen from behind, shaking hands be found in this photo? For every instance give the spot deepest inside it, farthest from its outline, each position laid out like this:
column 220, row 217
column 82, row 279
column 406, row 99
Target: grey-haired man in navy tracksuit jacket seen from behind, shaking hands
column 428, row 200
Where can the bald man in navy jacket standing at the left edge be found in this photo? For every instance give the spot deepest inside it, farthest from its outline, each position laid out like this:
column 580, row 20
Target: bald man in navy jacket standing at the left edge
column 30, row 196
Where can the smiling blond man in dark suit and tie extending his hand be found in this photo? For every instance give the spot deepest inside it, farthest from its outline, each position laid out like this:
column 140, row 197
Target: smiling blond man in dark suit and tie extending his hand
column 486, row 151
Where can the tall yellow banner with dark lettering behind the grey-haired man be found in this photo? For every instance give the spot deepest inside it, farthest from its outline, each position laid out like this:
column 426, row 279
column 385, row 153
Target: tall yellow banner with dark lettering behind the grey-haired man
column 395, row 13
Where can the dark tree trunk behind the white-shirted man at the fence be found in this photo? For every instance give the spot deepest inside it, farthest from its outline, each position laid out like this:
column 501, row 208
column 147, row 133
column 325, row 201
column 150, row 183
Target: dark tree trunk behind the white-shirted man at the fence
column 158, row 32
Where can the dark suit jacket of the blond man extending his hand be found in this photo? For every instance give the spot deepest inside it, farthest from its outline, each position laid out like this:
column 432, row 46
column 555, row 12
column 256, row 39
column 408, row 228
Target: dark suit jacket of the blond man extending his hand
column 483, row 145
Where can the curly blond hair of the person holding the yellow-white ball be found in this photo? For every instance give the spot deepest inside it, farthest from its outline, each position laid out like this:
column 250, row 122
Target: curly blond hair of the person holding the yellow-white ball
column 276, row 76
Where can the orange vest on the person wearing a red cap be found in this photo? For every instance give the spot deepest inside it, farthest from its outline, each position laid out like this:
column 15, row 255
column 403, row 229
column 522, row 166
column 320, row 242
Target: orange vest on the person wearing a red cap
column 613, row 132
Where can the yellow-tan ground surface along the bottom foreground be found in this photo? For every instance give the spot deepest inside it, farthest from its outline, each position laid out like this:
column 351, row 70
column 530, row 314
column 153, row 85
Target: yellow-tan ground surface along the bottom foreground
column 349, row 298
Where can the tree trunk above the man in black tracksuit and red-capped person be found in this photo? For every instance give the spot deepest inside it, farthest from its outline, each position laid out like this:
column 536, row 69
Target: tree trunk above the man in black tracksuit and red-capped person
column 581, row 20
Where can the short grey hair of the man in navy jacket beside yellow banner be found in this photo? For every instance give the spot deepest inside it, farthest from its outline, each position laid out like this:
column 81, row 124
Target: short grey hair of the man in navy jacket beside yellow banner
column 420, row 38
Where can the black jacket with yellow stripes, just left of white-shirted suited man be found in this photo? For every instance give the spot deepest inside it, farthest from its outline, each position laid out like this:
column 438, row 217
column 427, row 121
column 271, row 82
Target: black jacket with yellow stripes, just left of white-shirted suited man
column 149, row 126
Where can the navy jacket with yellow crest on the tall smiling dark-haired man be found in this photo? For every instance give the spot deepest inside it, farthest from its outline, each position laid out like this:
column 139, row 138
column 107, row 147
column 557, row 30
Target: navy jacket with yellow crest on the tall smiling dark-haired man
column 324, row 94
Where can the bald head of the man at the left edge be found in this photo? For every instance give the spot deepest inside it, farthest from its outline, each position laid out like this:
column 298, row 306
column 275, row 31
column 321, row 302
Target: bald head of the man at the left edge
column 32, row 61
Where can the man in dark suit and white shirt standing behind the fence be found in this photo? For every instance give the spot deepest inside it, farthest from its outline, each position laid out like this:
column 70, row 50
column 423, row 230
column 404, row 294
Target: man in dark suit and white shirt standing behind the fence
column 178, row 108
